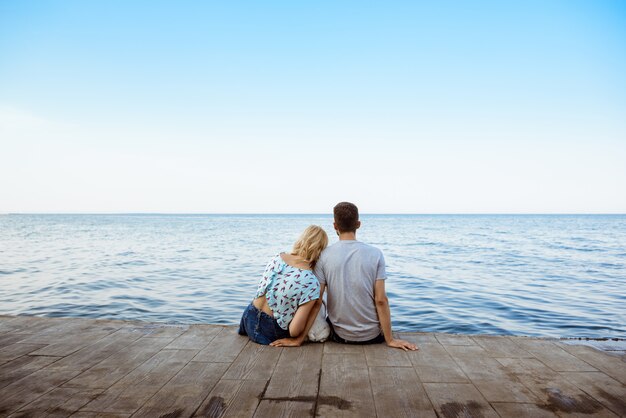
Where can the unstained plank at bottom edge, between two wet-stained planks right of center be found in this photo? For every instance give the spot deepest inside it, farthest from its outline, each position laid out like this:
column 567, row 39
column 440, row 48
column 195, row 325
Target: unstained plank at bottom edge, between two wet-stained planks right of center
column 399, row 393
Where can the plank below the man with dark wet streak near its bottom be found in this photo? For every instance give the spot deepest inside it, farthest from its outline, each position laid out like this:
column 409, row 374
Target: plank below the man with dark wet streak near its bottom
column 345, row 389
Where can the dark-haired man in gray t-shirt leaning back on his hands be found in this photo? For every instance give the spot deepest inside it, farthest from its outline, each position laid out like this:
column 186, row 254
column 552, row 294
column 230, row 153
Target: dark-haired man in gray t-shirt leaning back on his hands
column 354, row 273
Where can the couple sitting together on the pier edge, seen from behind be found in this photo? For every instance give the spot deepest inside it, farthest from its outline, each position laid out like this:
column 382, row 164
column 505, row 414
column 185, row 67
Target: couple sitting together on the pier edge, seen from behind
column 289, row 295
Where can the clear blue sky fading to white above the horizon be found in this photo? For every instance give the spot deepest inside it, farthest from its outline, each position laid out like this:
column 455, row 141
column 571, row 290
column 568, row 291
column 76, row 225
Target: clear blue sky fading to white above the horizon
column 288, row 107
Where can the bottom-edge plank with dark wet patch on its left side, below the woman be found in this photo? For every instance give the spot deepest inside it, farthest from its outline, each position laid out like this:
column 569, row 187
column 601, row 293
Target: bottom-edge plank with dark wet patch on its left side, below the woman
column 232, row 398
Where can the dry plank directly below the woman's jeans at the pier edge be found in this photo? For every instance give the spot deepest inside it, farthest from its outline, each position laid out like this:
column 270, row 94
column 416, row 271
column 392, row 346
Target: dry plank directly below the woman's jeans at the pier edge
column 256, row 362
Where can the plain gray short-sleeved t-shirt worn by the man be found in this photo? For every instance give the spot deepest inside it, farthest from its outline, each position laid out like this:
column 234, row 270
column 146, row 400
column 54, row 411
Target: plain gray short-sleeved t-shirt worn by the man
column 349, row 269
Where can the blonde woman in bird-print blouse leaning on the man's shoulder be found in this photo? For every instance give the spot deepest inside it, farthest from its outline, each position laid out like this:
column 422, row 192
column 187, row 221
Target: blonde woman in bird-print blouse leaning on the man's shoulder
column 286, row 292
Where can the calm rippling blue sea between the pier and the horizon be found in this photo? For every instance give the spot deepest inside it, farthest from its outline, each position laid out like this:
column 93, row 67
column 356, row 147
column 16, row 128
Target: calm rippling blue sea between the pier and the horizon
column 476, row 274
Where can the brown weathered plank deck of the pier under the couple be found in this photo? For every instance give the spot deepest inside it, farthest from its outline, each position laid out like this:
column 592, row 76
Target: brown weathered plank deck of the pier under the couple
column 103, row 368
